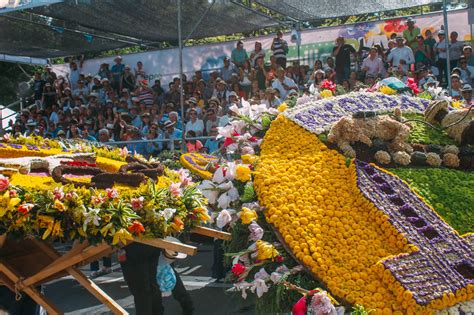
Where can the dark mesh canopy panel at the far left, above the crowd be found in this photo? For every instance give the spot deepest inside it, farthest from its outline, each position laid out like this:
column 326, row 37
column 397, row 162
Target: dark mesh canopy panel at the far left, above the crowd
column 21, row 38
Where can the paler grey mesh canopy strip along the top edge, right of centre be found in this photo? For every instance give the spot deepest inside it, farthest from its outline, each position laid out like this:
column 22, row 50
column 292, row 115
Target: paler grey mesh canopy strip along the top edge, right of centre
column 308, row 10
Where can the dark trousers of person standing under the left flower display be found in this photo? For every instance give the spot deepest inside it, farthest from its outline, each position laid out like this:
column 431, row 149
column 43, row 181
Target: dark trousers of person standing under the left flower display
column 139, row 271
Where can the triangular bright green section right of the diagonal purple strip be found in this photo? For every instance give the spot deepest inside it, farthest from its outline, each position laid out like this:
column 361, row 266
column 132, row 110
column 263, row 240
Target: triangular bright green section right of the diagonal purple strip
column 448, row 191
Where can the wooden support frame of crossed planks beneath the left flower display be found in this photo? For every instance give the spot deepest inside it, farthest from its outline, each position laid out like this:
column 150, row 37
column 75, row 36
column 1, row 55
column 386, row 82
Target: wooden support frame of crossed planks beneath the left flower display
column 49, row 264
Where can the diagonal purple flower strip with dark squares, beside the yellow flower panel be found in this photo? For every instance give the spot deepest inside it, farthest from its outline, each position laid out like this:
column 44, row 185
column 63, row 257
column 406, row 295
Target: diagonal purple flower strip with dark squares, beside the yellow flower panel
column 444, row 261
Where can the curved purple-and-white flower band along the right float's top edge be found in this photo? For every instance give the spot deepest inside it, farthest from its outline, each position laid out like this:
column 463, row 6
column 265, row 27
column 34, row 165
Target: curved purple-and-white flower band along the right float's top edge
column 318, row 116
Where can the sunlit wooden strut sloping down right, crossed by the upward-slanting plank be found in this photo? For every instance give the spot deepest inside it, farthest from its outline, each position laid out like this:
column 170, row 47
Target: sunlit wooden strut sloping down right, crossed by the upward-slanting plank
column 90, row 286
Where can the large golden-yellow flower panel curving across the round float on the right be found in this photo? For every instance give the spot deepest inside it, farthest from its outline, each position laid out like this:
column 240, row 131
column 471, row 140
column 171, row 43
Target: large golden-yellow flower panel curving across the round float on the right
column 312, row 199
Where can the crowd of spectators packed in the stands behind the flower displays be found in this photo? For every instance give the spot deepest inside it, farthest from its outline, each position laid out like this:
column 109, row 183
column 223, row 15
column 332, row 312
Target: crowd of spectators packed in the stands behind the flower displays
column 119, row 104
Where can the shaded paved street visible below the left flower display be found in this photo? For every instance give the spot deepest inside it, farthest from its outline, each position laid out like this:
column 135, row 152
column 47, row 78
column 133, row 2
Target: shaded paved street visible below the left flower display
column 209, row 297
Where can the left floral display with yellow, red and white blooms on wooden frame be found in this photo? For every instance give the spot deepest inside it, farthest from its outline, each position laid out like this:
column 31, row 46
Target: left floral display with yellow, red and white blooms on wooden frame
column 36, row 205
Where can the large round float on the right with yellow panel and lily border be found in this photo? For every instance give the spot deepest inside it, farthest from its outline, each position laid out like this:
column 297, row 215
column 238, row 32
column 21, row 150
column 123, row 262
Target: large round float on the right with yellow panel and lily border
column 303, row 217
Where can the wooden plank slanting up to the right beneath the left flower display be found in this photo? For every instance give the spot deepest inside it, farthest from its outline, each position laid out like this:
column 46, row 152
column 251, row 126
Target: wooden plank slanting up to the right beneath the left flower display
column 64, row 264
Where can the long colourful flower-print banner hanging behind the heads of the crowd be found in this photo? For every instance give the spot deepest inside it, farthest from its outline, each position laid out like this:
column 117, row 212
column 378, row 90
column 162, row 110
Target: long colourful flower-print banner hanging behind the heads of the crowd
column 315, row 44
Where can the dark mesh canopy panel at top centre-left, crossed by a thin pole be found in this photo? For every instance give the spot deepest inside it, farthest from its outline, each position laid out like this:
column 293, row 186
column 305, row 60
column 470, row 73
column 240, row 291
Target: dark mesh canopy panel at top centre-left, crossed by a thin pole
column 156, row 20
